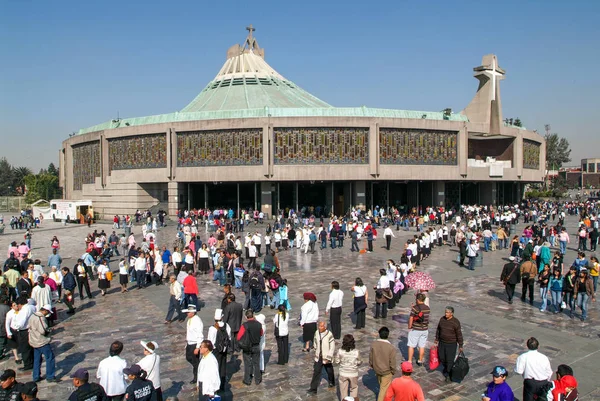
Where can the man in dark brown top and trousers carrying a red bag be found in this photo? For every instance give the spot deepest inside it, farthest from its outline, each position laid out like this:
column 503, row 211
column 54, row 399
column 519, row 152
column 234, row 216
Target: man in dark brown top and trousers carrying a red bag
column 447, row 336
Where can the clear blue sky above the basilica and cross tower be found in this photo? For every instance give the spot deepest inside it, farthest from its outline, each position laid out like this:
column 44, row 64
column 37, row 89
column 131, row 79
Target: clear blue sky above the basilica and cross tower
column 72, row 64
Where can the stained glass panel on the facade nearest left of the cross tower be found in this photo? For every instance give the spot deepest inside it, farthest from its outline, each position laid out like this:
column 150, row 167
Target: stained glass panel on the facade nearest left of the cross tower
column 417, row 146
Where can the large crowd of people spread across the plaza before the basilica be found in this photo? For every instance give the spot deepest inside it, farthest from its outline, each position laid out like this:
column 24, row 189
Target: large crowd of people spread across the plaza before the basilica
column 239, row 264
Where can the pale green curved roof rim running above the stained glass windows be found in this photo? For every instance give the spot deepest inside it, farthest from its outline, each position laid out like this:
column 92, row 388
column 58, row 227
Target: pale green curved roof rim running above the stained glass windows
column 275, row 112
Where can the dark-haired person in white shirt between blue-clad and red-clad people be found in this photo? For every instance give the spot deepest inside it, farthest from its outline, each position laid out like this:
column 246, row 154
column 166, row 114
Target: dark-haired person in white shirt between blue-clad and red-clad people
column 535, row 369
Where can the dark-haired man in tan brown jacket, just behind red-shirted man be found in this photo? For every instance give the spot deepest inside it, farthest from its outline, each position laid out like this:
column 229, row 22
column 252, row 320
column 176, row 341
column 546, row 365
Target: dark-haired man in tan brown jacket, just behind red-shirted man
column 382, row 359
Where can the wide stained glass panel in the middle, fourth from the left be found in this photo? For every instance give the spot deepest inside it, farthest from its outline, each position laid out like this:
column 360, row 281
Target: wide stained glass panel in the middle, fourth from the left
column 321, row 145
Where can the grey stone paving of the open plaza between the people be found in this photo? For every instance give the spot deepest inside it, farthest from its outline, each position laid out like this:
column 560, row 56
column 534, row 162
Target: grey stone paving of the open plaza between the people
column 494, row 331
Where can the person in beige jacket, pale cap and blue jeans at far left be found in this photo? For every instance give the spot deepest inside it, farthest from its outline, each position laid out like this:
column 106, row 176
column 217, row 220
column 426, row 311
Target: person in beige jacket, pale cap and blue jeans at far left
column 39, row 339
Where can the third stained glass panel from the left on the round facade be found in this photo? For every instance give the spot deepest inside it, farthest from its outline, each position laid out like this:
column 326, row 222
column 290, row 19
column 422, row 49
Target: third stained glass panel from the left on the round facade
column 236, row 147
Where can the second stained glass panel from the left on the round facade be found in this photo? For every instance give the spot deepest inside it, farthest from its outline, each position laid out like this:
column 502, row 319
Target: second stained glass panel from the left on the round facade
column 142, row 151
